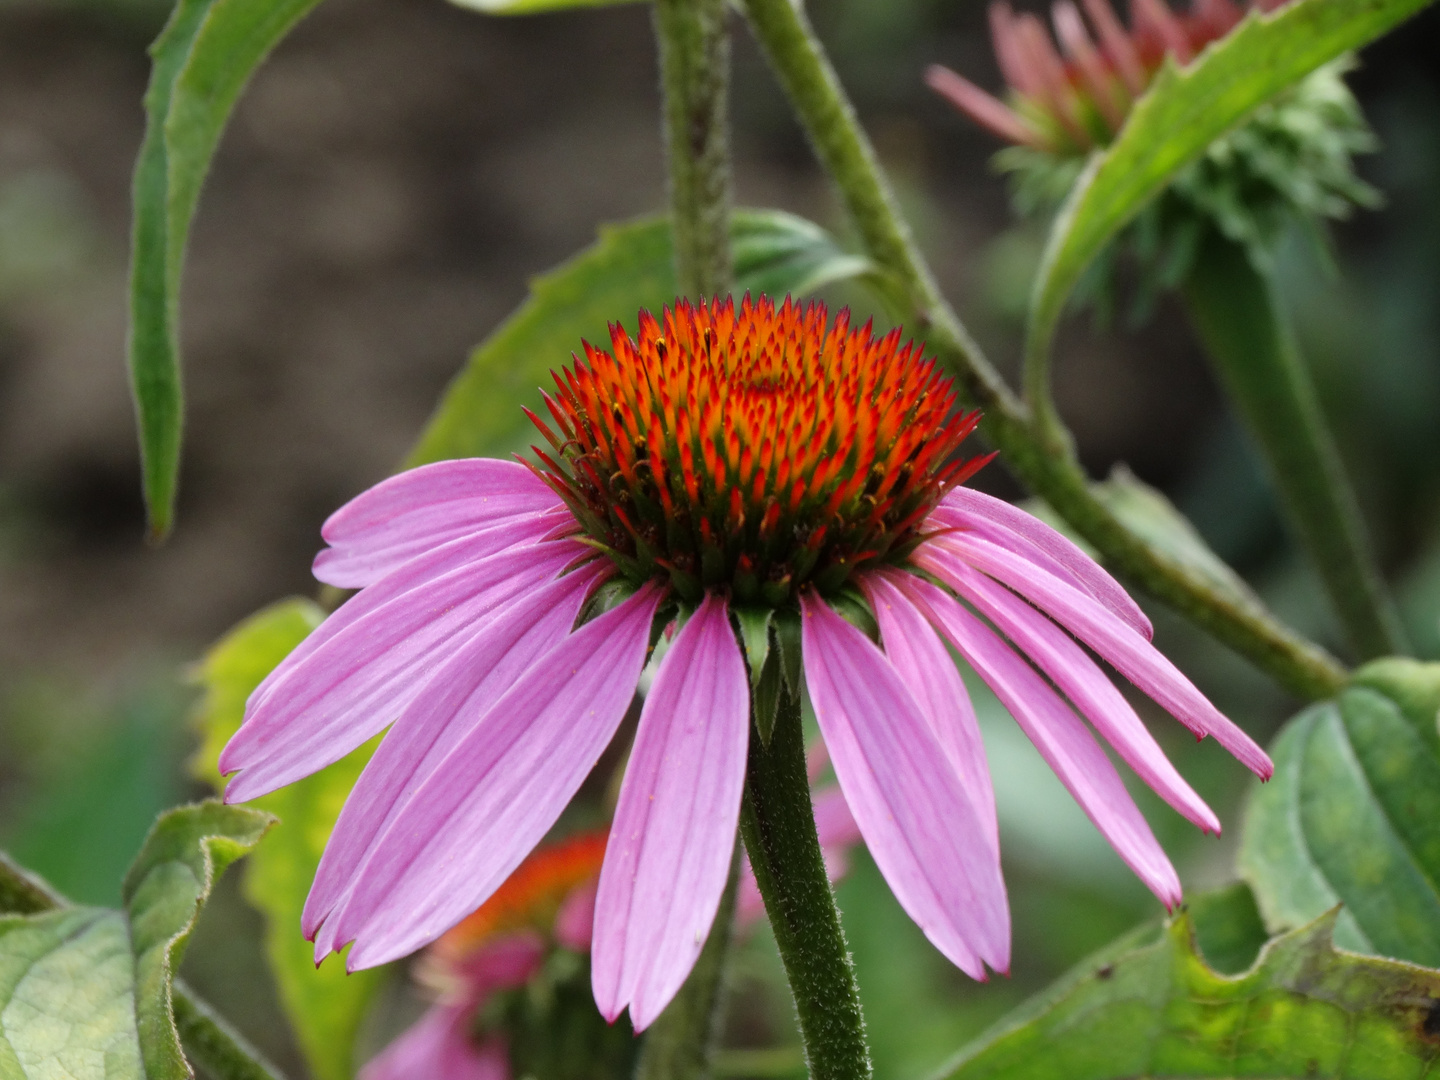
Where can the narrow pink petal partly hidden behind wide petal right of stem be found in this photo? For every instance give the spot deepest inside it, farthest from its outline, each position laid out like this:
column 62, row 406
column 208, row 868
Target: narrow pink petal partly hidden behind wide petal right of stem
column 927, row 669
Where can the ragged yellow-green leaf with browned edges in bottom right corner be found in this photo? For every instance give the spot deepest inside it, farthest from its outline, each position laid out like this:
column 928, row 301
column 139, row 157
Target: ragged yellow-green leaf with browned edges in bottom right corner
column 1157, row 1010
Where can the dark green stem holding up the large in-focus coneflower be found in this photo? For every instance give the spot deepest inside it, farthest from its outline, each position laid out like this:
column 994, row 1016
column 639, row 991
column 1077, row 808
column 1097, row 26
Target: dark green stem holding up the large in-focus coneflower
column 778, row 826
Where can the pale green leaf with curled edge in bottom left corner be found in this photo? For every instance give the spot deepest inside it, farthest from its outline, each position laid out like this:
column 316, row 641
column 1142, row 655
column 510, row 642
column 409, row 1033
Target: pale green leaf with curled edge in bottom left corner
column 89, row 991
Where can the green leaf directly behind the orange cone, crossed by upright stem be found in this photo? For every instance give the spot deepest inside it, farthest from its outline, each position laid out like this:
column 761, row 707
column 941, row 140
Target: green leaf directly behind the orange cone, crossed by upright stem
column 631, row 267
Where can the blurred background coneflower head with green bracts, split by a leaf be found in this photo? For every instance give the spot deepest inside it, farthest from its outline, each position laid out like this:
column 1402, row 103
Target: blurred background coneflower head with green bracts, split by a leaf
column 1291, row 161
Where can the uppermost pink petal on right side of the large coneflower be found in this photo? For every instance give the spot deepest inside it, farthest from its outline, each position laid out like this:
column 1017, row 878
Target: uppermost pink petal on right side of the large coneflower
column 1010, row 526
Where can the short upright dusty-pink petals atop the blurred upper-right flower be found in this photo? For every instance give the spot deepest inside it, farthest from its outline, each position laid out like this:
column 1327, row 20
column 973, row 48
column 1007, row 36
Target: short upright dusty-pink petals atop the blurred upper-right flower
column 1072, row 100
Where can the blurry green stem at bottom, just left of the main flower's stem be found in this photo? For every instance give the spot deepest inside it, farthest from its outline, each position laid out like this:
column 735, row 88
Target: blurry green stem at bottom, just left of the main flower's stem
column 682, row 1043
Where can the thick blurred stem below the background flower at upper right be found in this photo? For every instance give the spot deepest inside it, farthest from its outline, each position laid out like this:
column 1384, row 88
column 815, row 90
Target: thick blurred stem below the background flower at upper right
column 1243, row 325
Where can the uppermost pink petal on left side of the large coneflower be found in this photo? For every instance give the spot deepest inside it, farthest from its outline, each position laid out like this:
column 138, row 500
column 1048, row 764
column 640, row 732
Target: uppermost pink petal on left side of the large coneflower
column 421, row 509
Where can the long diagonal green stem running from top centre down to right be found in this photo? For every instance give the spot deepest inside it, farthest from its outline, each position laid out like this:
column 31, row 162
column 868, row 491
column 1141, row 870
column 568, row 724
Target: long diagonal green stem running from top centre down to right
column 1039, row 451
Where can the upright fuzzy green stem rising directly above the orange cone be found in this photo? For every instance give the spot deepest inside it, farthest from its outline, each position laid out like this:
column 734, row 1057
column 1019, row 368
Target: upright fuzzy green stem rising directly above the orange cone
column 695, row 71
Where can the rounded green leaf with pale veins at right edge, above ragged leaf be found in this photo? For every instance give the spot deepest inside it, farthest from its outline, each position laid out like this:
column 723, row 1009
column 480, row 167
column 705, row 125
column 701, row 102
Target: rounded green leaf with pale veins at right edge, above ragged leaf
column 1353, row 816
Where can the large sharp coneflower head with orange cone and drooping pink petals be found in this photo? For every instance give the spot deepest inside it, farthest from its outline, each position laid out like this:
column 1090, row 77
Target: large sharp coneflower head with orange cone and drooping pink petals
column 729, row 457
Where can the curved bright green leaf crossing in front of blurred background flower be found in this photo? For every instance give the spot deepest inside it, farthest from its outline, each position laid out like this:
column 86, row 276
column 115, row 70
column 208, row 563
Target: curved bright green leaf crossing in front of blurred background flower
column 1180, row 116
